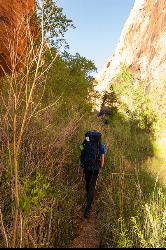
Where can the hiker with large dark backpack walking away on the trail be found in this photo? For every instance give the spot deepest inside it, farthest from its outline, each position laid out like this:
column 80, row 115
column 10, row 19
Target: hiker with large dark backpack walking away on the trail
column 91, row 160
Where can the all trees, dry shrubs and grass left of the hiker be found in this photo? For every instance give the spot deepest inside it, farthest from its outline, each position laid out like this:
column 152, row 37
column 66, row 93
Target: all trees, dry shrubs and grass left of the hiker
column 42, row 109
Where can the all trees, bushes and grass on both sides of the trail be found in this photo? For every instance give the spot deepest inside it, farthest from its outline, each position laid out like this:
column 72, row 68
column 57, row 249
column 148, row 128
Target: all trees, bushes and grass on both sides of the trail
column 45, row 111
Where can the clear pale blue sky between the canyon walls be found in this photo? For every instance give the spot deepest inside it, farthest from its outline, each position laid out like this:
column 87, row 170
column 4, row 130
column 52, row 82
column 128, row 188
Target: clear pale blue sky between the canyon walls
column 98, row 24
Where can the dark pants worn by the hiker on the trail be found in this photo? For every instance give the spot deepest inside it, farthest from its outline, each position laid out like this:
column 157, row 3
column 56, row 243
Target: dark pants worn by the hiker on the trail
column 90, row 179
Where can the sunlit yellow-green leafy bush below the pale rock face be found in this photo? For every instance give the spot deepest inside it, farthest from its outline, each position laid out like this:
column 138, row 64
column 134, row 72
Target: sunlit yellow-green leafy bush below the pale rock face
column 134, row 102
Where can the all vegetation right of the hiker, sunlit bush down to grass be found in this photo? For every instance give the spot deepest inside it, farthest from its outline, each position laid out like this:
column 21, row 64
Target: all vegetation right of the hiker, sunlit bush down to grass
column 132, row 198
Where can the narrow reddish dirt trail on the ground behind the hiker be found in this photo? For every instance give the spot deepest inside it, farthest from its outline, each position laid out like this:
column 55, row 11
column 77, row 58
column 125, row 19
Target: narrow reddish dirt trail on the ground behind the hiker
column 87, row 232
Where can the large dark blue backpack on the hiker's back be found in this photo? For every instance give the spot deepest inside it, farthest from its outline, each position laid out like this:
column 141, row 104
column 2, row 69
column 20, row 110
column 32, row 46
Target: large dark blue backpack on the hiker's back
column 91, row 151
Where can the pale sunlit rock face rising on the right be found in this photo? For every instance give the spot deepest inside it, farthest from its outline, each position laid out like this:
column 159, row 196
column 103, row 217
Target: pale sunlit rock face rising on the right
column 142, row 46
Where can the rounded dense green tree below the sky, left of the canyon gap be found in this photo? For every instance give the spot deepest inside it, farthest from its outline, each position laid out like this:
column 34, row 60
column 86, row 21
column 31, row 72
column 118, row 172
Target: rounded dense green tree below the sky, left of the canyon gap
column 70, row 77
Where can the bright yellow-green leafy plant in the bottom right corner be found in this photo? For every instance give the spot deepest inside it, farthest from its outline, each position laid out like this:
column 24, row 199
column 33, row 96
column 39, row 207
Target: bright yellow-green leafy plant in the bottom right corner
column 151, row 234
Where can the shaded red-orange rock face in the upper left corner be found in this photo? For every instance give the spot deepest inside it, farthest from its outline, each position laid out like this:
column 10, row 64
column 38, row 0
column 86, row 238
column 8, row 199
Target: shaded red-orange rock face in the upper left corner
column 13, row 30
